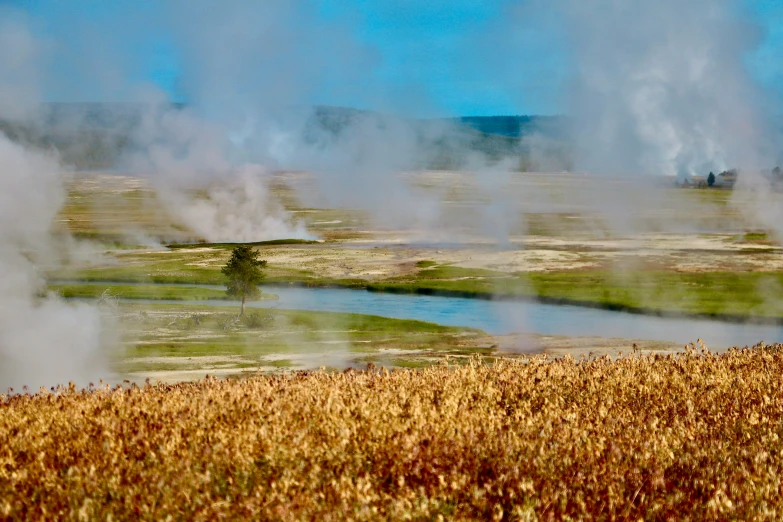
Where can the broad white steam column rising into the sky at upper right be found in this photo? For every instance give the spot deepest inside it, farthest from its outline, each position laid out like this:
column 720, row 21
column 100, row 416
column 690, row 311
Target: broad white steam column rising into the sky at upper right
column 662, row 87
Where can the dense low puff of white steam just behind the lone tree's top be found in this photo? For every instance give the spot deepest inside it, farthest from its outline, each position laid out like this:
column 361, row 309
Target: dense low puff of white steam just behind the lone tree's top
column 188, row 161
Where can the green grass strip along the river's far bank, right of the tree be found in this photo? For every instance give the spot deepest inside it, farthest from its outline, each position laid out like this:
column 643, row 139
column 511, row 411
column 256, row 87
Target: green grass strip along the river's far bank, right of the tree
column 726, row 295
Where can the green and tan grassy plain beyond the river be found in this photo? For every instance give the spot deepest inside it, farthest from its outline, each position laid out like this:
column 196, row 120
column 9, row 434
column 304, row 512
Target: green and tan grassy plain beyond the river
column 689, row 252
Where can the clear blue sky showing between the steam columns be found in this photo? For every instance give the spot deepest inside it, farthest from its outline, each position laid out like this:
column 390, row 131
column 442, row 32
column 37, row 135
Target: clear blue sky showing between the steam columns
column 435, row 57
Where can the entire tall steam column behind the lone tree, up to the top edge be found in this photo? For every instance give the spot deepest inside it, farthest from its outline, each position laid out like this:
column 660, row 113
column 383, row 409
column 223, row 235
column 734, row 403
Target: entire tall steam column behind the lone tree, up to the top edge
column 242, row 78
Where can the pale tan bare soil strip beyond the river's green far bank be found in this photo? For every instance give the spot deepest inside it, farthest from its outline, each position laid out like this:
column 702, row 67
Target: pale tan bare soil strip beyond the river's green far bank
column 680, row 253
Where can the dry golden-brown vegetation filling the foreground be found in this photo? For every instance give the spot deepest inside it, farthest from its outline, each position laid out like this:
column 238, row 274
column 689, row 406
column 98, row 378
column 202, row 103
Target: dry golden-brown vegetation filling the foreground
column 694, row 436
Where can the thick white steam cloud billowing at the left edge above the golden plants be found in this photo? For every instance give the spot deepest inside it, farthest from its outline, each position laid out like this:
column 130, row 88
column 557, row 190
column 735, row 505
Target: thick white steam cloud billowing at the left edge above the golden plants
column 43, row 341
